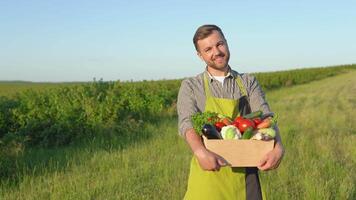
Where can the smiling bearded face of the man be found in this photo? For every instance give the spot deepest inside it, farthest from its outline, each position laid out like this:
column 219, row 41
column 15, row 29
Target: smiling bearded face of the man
column 214, row 51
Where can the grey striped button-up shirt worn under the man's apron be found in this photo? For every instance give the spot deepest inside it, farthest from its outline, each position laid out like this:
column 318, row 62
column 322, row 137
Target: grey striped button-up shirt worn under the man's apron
column 191, row 96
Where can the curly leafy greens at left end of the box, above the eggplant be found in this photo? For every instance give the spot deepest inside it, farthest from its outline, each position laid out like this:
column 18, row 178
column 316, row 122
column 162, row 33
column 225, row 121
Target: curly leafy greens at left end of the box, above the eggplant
column 200, row 119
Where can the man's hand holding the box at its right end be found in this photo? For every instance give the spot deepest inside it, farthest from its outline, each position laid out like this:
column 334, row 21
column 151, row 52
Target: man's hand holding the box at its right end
column 272, row 159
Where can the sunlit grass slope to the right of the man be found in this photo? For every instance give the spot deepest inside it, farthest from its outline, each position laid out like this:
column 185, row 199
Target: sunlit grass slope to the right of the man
column 319, row 132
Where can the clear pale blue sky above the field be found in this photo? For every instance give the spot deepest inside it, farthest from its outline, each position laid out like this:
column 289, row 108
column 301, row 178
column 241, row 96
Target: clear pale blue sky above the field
column 59, row 41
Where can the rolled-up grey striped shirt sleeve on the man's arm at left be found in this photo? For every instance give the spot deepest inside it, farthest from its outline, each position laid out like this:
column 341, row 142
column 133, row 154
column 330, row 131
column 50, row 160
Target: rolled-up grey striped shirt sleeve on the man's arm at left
column 186, row 107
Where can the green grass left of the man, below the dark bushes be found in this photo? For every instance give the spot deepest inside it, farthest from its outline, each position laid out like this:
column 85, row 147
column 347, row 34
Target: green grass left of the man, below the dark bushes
column 103, row 170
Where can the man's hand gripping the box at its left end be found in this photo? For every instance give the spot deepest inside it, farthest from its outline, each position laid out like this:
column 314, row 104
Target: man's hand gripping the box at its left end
column 208, row 160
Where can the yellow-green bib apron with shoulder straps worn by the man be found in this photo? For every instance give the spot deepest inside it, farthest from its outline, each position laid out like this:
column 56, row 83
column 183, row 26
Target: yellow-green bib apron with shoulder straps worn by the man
column 228, row 183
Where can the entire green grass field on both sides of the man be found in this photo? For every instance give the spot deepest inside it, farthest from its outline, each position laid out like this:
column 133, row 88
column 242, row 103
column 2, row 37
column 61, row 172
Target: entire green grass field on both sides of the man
column 317, row 125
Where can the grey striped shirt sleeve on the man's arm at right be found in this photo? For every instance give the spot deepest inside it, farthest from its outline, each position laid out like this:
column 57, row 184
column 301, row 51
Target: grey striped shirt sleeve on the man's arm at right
column 257, row 96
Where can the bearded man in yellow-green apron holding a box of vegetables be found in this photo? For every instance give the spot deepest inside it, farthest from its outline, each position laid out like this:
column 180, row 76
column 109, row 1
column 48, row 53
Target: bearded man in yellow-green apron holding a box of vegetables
column 223, row 90
